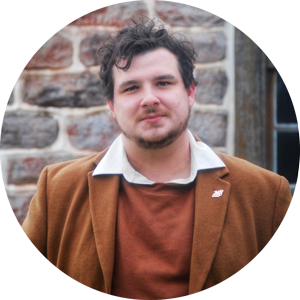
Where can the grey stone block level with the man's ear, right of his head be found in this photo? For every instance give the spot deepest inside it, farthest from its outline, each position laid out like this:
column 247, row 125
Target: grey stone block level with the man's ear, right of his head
column 212, row 85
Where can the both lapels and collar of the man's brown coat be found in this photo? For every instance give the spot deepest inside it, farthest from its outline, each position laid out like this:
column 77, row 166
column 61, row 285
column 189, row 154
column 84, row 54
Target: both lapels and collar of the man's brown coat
column 208, row 223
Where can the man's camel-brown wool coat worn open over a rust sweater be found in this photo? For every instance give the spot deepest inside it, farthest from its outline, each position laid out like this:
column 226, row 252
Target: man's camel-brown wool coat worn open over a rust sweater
column 244, row 242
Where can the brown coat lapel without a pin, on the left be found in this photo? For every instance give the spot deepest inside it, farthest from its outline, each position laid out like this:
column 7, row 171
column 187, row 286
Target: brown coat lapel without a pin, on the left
column 103, row 196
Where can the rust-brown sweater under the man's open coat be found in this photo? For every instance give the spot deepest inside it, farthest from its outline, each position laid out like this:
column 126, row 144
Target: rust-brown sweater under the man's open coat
column 153, row 241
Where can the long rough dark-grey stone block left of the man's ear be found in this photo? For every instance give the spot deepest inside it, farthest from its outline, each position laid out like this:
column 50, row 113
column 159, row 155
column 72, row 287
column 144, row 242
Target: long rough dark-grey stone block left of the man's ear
column 73, row 90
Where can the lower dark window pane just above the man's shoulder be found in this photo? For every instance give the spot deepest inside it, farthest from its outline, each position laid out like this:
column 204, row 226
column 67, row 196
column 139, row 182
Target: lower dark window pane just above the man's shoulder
column 288, row 155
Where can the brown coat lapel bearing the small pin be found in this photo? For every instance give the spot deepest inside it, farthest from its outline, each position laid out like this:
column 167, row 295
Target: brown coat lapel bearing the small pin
column 208, row 225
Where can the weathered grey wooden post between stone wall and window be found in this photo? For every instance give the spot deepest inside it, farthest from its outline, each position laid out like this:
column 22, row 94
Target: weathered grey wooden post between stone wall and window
column 250, row 81
